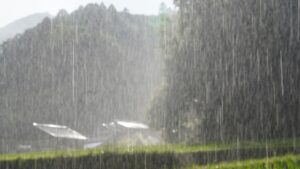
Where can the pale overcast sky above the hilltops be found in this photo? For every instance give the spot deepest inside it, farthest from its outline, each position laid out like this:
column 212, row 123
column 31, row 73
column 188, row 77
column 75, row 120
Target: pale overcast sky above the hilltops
column 11, row 10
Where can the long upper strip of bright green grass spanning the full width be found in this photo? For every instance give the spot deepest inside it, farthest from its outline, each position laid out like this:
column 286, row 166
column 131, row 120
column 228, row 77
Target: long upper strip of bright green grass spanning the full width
column 279, row 143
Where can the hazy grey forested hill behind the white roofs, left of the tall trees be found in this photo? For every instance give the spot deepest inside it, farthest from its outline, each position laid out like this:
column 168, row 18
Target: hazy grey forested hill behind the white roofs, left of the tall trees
column 80, row 69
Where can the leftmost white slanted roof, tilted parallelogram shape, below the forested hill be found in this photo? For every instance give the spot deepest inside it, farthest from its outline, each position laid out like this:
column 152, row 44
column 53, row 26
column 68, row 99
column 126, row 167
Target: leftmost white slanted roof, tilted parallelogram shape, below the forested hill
column 60, row 131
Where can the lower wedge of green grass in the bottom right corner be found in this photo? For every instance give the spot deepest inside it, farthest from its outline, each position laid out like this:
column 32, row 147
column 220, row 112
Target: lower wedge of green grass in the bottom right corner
column 288, row 162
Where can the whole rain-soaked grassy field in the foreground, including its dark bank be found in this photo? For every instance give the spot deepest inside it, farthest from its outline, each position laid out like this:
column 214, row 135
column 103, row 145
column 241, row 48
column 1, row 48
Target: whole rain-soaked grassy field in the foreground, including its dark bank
column 169, row 156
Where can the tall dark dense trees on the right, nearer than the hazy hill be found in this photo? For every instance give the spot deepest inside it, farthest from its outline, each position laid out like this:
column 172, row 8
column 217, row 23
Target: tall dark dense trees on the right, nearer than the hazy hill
column 233, row 72
